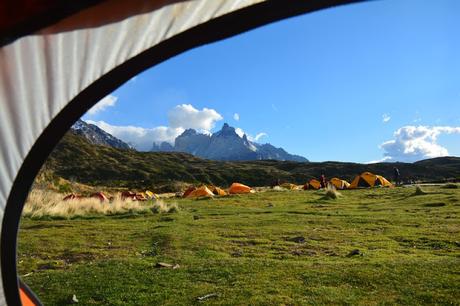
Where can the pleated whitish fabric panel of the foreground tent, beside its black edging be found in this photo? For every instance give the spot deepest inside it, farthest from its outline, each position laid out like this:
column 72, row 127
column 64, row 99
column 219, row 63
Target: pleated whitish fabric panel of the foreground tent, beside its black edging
column 41, row 73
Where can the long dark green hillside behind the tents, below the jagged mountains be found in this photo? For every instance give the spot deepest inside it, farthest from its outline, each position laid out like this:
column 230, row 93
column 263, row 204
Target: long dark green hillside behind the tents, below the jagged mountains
column 75, row 159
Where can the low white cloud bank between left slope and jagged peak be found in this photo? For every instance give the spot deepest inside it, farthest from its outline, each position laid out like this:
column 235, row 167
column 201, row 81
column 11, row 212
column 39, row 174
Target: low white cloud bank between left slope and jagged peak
column 140, row 138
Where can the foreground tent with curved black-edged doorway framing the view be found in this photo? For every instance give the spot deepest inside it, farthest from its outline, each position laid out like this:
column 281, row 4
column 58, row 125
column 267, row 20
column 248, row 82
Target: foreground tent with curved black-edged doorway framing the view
column 78, row 53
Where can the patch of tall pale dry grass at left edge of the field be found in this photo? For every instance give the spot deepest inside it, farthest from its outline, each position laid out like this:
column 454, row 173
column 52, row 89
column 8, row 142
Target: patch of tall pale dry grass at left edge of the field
column 50, row 204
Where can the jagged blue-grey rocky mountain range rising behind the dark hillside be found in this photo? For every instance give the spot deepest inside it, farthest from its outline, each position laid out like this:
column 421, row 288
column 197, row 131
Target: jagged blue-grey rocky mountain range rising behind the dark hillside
column 225, row 145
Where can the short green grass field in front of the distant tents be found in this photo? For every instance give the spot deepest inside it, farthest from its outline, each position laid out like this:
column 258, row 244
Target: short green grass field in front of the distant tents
column 269, row 248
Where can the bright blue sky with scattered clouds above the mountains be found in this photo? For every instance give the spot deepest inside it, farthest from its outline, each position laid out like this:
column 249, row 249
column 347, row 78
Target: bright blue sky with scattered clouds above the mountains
column 364, row 82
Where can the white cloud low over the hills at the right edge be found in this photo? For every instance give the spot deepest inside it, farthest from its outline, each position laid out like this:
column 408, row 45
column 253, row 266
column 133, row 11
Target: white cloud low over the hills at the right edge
column 414, row 143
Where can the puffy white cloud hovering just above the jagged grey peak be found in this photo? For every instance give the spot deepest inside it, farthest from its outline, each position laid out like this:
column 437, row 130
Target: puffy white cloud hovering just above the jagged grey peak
column 187, row 117
